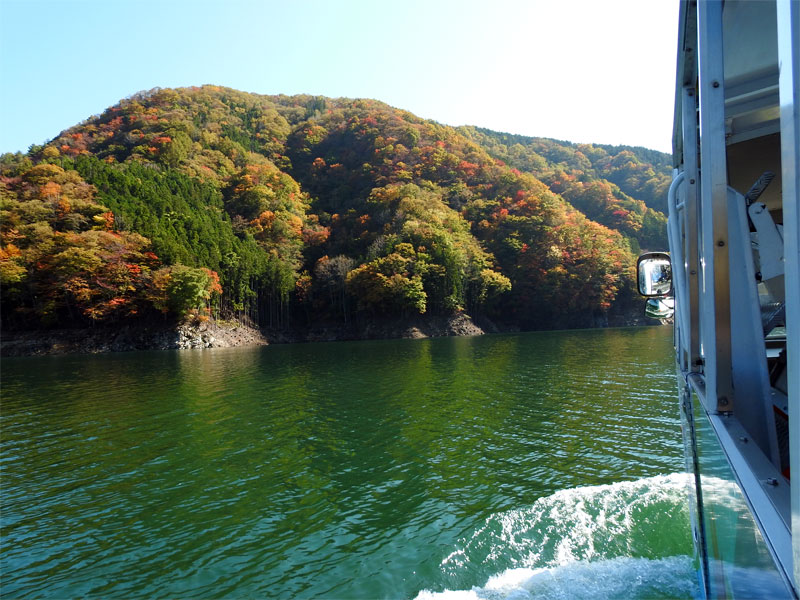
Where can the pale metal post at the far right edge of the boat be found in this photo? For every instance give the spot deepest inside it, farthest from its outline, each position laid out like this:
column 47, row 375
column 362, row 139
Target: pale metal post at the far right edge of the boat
column 788, row 17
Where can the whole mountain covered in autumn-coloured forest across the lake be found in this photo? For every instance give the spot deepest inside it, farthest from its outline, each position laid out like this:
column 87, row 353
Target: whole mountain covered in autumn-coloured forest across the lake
column 290, row 210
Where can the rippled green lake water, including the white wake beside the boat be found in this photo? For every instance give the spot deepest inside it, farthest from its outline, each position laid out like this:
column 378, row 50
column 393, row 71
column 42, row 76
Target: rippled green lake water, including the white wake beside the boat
column 544, row 465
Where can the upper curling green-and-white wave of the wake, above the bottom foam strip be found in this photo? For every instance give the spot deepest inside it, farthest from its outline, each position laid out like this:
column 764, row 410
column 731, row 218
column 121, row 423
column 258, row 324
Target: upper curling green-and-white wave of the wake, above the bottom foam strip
column 585, row 523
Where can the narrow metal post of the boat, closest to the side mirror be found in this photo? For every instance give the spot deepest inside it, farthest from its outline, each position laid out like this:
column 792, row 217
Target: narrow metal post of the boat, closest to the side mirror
column 690, row 254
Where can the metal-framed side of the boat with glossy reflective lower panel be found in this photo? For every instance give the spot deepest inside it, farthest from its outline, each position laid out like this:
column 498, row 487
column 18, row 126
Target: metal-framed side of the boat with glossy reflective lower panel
column 733, row 232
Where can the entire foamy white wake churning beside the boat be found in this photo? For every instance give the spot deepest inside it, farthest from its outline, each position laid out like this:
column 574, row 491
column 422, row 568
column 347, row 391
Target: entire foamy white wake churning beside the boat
column 623, row 540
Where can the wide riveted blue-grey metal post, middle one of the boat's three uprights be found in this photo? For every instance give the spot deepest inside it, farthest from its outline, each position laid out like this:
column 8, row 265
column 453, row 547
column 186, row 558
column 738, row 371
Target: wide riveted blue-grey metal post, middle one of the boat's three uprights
column 714, row 209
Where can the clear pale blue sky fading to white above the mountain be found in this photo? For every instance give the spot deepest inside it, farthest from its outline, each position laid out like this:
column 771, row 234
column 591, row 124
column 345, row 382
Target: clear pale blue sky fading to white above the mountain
column 578, row 70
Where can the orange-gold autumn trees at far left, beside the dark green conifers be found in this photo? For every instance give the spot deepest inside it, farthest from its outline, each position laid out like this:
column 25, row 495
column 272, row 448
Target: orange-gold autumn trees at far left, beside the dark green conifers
column 62, row 261
